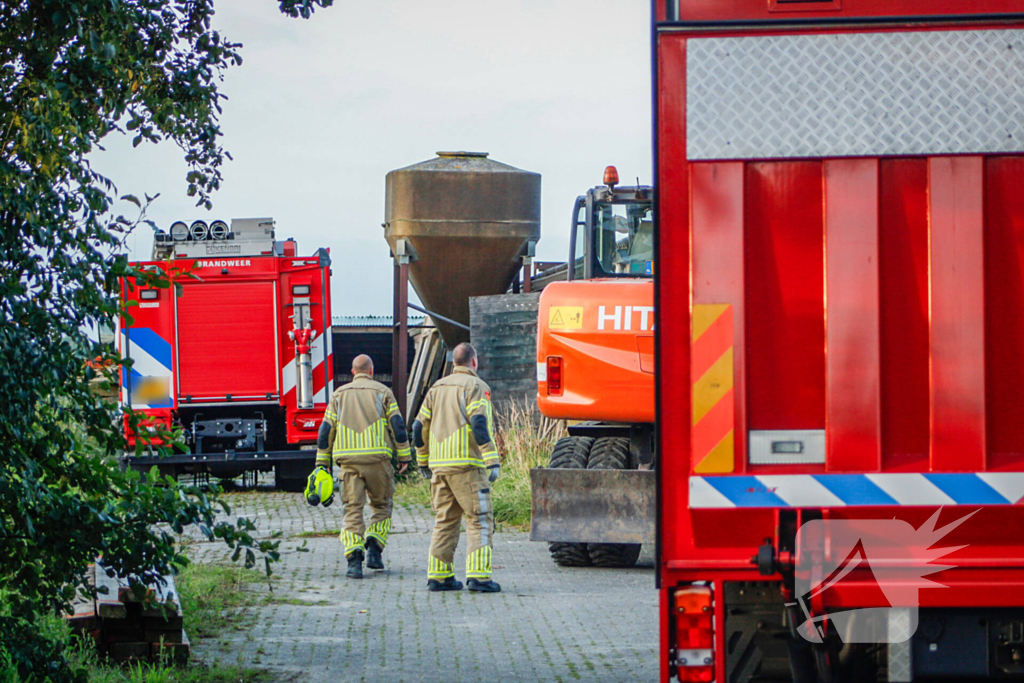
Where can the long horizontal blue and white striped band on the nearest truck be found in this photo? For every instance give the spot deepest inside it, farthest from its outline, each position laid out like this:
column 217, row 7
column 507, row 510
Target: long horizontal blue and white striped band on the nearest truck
column 838, row 491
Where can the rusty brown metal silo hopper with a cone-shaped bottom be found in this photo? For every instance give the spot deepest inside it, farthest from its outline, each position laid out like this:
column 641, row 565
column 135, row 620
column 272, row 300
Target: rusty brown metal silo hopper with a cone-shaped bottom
column 465, row 221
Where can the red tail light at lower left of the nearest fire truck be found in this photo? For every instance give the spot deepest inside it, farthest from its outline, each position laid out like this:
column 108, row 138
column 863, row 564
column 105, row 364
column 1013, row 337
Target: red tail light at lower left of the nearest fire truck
column 695, row 643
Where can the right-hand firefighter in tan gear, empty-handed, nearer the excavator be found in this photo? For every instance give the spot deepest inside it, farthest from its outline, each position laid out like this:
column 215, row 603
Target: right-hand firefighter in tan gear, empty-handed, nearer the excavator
column 455, row 447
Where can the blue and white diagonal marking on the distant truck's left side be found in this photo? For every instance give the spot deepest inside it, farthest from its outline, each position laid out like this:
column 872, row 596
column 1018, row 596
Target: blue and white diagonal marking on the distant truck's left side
column 151, row 378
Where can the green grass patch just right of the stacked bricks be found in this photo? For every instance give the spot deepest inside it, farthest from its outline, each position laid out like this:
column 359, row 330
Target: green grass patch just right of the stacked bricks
column 215, row 597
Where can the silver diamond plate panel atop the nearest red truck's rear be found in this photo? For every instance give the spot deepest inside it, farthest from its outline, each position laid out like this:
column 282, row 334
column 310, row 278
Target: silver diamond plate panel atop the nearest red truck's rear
column 856, row 95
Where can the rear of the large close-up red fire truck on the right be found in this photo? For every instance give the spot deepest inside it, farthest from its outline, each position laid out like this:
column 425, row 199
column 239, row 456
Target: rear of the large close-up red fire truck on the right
column 840, row 310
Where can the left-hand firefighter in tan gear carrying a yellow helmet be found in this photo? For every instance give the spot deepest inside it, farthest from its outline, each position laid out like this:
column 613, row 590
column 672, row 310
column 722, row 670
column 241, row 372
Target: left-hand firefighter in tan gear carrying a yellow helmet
column 361, row 432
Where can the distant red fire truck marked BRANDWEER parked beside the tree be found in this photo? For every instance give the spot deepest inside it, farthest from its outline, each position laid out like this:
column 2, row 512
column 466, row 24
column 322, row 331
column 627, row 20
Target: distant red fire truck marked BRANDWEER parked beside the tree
column 237, row 354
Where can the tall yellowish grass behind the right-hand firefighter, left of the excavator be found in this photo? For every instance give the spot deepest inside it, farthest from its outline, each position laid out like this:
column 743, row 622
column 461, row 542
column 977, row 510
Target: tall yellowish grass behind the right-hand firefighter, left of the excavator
column 525, row 443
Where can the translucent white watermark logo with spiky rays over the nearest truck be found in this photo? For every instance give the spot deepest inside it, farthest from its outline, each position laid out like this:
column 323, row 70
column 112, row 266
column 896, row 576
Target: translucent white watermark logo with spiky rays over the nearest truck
column 886, row 562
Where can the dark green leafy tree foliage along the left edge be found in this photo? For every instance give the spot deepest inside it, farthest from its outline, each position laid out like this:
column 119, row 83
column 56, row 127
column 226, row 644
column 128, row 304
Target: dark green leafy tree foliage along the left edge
column 73, row 72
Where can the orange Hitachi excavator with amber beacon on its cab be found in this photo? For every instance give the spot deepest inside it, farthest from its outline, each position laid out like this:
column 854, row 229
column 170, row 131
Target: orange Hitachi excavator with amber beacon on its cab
column 595, row 364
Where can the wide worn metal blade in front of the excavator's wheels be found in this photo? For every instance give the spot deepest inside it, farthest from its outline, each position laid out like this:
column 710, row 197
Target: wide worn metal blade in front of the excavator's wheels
column 593, row 506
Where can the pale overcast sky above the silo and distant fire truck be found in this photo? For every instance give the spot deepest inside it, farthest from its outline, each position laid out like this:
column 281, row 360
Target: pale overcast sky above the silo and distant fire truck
column 322, row 110
